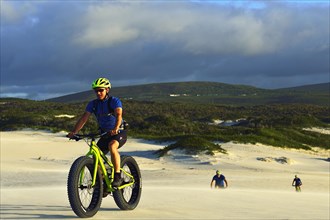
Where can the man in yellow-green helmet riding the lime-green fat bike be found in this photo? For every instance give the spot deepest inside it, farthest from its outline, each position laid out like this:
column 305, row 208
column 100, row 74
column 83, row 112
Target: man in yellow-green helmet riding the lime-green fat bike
column 108, row 111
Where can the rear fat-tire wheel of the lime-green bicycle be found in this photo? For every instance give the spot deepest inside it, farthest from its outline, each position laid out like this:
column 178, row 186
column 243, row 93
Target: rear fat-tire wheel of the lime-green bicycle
column 128, row 198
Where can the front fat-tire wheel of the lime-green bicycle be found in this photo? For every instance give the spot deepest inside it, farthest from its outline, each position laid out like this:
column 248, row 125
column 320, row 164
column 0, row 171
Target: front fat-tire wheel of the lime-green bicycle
column 84, row 200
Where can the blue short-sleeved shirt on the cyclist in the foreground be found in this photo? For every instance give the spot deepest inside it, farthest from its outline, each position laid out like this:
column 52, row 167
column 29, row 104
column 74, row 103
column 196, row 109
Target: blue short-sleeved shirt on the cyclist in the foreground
column 105, row 119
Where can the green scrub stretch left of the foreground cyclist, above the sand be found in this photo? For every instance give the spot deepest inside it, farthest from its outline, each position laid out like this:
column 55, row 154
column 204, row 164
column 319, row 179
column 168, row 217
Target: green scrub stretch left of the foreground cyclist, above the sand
column 19, row 113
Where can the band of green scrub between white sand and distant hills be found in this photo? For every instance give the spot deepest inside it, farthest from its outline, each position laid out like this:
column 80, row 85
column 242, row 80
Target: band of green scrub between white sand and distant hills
column 278, row 125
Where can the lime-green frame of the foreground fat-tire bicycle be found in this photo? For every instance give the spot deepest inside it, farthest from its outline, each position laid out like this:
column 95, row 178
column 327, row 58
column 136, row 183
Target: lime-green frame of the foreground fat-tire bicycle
column 99, row 157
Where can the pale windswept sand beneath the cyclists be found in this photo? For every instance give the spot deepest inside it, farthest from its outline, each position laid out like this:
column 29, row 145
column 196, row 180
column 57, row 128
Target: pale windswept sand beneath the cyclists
column 35, row 166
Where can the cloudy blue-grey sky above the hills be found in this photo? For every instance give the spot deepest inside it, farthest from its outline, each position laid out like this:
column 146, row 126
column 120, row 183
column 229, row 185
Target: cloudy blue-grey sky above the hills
column 53, row 48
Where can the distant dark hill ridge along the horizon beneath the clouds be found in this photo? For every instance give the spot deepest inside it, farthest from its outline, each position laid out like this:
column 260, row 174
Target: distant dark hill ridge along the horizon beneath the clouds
column 211, row 92
